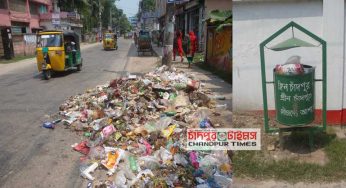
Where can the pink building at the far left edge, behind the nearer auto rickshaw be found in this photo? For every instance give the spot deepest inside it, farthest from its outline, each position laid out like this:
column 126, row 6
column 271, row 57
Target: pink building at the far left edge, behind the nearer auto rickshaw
column 18, row 19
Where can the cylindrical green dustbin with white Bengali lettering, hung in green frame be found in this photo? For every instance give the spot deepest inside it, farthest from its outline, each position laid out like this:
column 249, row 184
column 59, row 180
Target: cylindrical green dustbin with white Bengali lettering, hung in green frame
column 295, row 97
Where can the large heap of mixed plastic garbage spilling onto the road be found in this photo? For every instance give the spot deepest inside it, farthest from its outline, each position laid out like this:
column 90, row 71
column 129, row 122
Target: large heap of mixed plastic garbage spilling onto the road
column 134, row 131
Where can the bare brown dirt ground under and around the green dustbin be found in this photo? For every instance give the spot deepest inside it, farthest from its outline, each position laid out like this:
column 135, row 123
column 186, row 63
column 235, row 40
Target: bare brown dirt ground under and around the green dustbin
column 295, row 144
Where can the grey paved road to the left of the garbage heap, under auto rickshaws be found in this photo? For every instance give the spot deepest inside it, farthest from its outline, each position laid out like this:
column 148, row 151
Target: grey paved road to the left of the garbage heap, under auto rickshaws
column 31, row 156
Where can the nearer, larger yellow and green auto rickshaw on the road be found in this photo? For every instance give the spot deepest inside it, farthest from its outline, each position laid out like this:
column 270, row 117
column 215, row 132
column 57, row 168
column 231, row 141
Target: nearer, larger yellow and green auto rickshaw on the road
column 58, row 51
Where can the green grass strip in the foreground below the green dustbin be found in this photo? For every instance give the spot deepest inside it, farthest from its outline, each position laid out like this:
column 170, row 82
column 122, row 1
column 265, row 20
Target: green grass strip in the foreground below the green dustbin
column 256, row 164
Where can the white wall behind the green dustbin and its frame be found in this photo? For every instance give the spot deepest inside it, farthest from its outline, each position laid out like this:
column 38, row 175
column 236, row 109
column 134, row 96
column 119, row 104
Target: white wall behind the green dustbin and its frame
column 256, row 21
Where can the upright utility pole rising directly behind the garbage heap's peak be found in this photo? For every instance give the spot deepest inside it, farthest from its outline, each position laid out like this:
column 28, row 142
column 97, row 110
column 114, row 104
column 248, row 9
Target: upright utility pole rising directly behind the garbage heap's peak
column 168, row 35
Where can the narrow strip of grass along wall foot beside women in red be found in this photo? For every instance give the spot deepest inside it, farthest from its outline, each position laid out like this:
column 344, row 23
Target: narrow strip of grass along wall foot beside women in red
column 199, row 61
